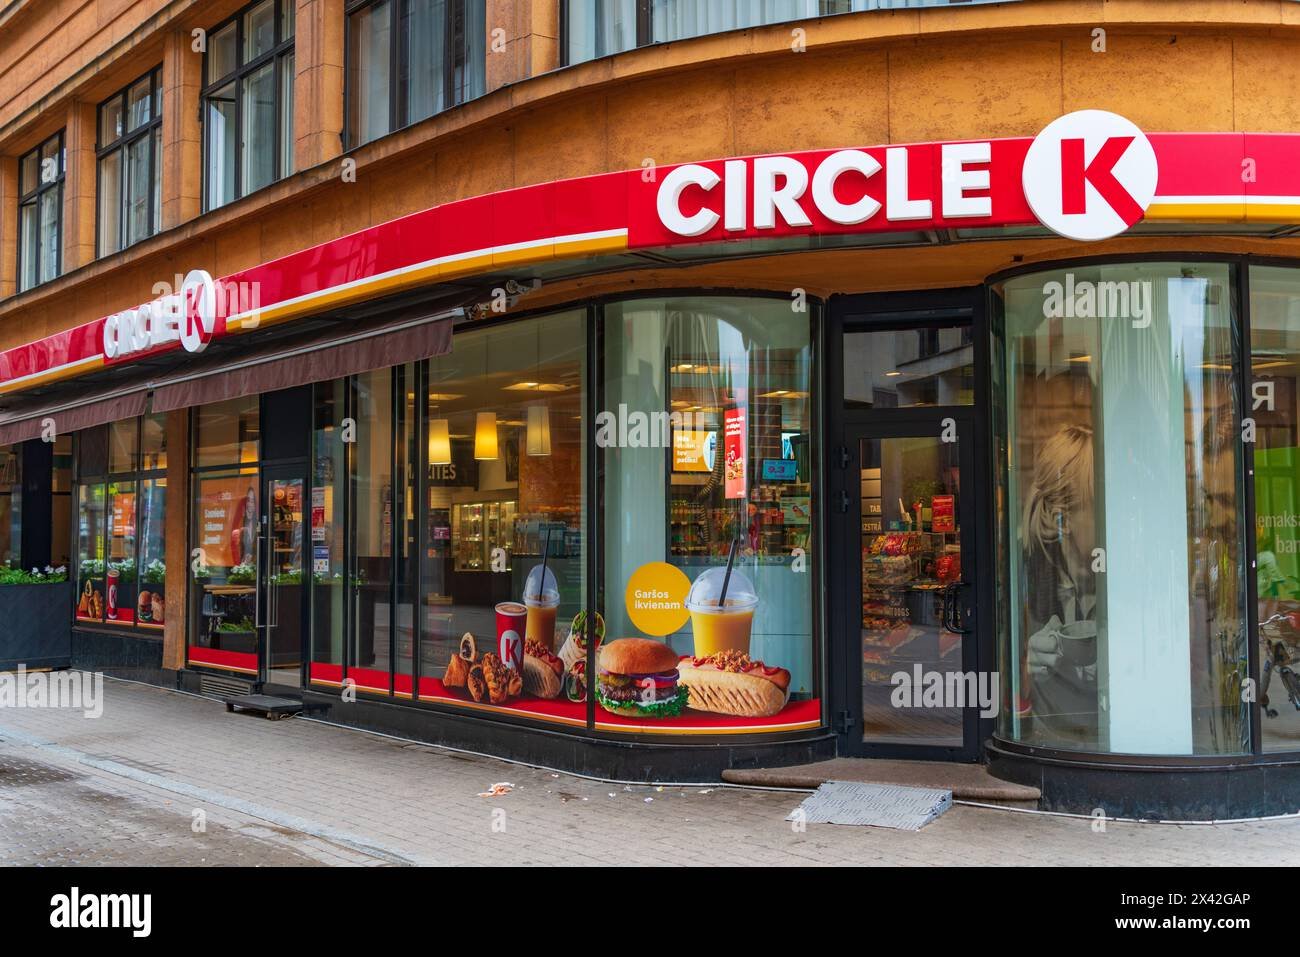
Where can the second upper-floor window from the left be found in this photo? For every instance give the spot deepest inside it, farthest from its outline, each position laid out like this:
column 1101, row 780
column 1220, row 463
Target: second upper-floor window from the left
column 131, row 163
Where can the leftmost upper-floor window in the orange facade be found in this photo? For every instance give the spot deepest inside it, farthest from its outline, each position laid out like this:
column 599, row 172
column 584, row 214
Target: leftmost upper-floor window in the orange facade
column 41, row 213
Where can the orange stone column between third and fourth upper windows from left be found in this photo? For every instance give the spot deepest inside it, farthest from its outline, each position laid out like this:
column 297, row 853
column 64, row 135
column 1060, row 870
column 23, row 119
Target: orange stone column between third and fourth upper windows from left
column 319, row 83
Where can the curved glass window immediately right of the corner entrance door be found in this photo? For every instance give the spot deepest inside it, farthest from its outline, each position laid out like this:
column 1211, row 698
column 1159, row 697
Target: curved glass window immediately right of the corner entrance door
column 1123, row 618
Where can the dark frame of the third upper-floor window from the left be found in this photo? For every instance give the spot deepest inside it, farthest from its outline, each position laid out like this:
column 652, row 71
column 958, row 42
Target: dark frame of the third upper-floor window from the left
column 280, row 50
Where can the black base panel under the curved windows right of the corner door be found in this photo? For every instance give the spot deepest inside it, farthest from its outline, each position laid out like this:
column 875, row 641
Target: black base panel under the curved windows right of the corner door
column 1154, row 791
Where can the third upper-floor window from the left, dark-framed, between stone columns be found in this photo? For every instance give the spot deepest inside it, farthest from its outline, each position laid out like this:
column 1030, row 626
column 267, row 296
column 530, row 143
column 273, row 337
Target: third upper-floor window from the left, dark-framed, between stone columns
column 249, row 102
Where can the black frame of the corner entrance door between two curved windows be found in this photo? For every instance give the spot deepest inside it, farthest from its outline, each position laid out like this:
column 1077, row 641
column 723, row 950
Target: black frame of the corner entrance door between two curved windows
column 891, row 311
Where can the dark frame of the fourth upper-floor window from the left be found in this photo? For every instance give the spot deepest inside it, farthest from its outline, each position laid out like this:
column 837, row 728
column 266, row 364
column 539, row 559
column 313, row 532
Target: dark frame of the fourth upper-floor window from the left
column 400, row 67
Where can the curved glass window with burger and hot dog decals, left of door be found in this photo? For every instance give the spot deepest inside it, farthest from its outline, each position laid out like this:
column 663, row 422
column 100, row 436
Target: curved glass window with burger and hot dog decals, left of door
column 707, row 434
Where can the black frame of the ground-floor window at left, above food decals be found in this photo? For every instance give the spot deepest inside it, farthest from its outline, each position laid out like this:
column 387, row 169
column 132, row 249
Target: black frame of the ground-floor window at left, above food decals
column 135, row 479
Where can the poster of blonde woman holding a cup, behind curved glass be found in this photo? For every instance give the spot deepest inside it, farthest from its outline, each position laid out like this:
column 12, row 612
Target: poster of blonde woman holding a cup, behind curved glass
column 1058, row 538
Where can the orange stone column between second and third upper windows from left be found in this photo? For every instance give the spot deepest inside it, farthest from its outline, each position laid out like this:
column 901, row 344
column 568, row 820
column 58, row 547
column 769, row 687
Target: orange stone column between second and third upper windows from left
column 183, row 136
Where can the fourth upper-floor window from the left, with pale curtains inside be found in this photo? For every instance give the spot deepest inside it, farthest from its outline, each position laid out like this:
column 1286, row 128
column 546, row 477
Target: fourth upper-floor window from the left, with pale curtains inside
column 411, row 59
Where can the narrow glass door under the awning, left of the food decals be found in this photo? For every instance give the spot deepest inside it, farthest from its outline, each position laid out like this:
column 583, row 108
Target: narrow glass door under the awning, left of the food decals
column 284, row 577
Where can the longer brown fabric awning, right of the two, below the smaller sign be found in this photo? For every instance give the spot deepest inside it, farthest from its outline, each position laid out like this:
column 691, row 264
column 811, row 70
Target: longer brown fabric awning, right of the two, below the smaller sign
column 288, row 366
